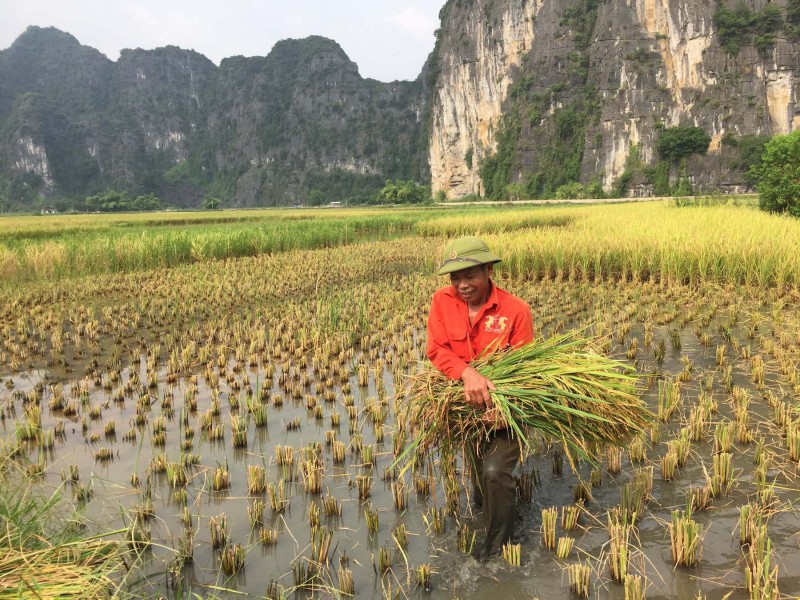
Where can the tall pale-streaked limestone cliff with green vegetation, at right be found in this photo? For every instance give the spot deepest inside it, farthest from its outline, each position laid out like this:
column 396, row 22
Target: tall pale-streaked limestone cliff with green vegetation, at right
column 582, row 85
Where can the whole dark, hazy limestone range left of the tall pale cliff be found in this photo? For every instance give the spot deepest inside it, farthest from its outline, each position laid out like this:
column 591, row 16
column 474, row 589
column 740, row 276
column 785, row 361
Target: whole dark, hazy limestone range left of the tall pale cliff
column 298, row 124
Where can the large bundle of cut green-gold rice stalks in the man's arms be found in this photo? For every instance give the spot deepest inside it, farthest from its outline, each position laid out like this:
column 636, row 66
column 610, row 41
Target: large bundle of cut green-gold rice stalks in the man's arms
column 558, row 387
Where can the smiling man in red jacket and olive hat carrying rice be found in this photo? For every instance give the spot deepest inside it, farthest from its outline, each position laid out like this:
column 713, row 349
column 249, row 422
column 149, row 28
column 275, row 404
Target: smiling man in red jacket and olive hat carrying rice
column 470, row 316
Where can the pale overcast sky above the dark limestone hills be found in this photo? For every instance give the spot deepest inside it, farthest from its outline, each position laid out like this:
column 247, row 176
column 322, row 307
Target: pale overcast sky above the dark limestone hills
column 388, row 39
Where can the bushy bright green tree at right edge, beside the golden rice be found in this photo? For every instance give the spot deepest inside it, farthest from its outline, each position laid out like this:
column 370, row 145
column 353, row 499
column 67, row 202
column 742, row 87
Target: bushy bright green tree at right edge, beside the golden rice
column 778, row 176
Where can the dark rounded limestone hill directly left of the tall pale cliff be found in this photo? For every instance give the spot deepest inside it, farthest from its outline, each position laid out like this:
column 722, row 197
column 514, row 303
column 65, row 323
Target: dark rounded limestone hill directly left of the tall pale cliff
column 302, row 121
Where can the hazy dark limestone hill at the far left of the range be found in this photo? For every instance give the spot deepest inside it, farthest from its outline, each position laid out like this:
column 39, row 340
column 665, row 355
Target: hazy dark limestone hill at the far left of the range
column 45, row 93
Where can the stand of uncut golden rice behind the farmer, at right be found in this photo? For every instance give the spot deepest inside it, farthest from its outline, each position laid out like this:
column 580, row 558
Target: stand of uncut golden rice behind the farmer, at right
column 660, row 242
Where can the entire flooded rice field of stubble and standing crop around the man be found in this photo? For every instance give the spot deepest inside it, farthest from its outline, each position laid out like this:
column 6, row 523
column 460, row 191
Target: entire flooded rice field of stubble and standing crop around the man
column 234, row 413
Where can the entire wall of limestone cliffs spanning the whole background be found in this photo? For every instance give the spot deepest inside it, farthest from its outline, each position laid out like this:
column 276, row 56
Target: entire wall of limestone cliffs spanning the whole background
column 519, row 98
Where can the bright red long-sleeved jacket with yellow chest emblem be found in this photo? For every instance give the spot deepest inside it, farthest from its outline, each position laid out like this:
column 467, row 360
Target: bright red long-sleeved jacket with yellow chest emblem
column 503, row 321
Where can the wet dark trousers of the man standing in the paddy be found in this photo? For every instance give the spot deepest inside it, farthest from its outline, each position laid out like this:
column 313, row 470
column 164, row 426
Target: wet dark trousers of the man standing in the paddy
column 495, row 488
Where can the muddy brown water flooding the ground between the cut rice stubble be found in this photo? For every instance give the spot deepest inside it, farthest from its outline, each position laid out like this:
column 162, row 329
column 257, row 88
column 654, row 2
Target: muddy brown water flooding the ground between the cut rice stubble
column 454, row 574
